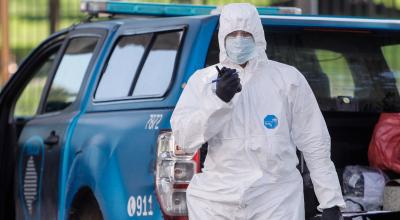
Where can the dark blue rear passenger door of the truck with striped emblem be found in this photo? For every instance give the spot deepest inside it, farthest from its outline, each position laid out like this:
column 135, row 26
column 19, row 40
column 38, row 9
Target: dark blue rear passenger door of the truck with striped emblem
column 40, row 155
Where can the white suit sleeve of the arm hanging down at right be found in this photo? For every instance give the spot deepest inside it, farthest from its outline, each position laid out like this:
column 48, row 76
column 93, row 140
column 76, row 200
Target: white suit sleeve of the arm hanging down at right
column 311, row 136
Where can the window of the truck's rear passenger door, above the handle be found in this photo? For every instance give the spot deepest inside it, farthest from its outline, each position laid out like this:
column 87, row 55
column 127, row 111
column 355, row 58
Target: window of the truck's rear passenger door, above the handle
column 70, row 73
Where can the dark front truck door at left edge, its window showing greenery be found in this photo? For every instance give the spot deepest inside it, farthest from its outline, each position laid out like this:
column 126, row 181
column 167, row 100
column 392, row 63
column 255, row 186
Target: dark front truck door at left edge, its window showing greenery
column 19, row 101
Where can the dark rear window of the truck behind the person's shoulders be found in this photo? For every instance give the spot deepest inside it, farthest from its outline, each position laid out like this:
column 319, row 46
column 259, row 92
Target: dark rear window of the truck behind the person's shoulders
column 354, row 71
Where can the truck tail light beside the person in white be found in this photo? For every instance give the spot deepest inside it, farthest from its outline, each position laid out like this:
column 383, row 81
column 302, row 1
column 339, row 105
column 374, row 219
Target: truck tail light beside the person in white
column 174, row 170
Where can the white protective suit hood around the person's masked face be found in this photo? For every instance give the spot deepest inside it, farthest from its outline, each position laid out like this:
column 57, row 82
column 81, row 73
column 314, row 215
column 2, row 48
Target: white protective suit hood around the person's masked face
column 245, row 17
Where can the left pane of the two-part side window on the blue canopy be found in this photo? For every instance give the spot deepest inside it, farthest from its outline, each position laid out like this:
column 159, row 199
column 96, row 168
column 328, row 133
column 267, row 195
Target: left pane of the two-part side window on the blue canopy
column 122, row 67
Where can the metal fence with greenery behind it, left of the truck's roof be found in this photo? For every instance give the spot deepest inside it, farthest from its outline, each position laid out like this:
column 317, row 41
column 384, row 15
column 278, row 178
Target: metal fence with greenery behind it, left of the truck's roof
column 28, row 22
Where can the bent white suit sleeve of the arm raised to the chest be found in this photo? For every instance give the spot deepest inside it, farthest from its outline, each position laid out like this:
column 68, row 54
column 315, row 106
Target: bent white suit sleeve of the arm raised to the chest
column 199, row 114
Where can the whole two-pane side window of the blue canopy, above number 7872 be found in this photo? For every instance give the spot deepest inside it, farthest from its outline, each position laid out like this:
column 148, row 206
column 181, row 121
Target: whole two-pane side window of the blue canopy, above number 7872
column 140, row 66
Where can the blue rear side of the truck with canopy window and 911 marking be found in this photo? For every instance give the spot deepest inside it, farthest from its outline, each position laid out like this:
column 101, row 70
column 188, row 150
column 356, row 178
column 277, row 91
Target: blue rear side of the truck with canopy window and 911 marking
column 132, row 104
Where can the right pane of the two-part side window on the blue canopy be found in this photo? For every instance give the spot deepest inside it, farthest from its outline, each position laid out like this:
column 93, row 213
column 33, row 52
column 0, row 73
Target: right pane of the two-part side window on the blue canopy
column 158, row 69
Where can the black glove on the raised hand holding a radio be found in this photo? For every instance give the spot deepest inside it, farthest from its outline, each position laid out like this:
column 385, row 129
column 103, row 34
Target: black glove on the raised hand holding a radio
column 228, row 84
